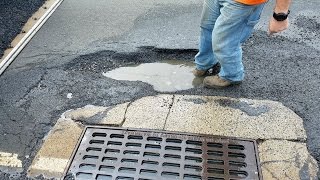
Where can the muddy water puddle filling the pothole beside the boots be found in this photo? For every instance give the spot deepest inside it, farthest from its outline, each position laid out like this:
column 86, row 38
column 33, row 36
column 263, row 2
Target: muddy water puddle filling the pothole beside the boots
column 165, row 76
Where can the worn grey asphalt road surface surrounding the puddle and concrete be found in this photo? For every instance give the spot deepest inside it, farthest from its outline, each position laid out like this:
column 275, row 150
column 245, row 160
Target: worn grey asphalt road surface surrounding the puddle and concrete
column 83, row 39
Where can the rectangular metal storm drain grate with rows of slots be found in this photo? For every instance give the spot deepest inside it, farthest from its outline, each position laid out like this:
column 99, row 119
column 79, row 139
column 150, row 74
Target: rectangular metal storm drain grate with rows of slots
column 125, row 154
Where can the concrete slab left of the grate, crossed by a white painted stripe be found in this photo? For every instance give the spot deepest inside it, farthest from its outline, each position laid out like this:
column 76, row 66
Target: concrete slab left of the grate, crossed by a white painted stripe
column 53, row 157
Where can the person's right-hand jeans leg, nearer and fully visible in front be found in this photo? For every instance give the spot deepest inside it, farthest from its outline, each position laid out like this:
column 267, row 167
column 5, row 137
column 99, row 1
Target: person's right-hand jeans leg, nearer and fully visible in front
column 233, row 27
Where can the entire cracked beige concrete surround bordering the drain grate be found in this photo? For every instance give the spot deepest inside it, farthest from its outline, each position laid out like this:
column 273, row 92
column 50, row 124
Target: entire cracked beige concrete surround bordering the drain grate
column 279, row 131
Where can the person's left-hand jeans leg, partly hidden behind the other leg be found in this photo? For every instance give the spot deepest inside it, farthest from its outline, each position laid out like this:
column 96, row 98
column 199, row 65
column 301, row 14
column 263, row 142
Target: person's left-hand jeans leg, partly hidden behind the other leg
column 205, row 58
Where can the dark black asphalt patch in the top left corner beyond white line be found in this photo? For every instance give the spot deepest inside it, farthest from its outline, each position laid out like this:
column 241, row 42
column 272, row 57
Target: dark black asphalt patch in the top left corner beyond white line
column 13, row 15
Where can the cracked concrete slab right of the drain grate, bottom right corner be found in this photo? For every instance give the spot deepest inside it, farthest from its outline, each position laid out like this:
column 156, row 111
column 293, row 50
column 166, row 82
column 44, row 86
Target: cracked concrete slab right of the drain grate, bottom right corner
column 286, row 160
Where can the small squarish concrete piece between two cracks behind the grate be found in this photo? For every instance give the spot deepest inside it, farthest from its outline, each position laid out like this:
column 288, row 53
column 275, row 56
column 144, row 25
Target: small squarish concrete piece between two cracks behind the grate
column 148, row 112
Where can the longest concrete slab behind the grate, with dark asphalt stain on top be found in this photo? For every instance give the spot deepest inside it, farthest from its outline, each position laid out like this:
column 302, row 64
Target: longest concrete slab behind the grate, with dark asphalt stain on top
column 256, row 119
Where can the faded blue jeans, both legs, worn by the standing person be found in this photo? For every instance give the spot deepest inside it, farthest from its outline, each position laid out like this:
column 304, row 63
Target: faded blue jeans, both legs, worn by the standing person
column 225, row 25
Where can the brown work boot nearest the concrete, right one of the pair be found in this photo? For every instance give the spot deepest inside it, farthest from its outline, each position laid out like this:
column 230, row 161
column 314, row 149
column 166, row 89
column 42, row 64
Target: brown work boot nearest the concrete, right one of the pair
column 217, row 82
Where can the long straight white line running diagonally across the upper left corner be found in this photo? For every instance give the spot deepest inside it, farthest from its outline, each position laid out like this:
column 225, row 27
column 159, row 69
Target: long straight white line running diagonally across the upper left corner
column 25, row 40
